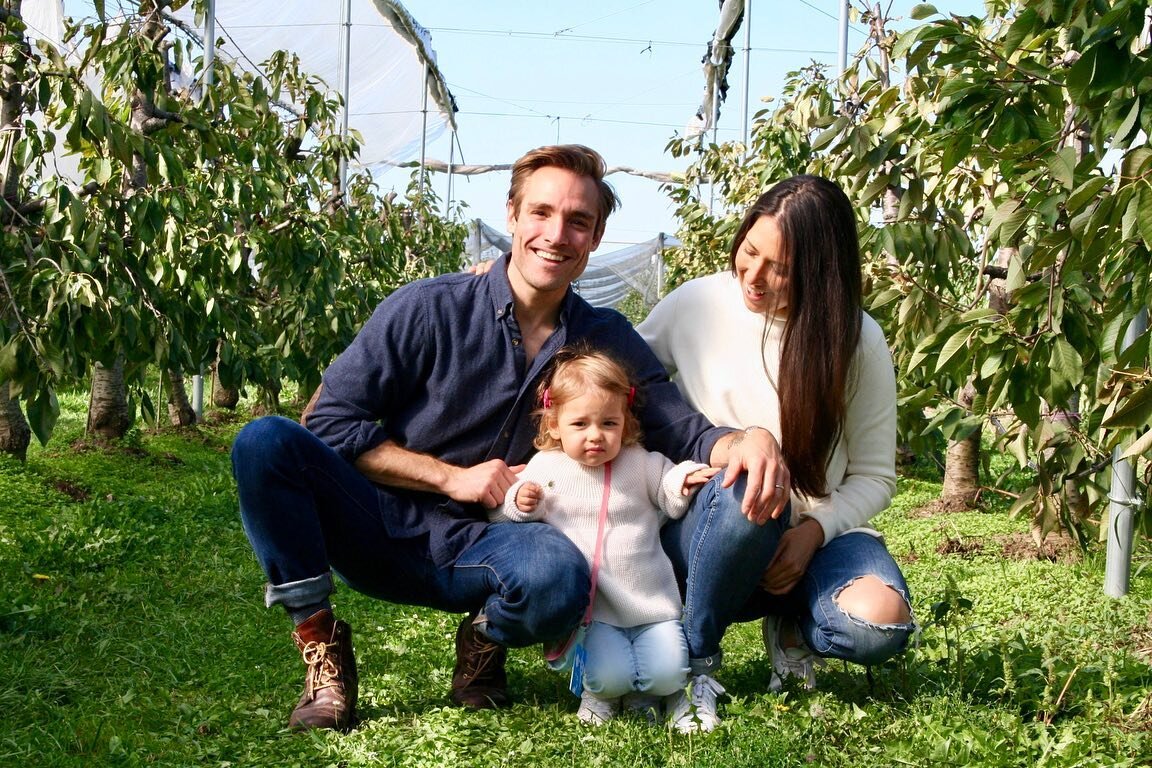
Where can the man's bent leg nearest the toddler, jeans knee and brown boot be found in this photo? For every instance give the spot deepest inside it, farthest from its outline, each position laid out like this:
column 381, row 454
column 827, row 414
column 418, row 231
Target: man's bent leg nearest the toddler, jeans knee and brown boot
column 537, row 588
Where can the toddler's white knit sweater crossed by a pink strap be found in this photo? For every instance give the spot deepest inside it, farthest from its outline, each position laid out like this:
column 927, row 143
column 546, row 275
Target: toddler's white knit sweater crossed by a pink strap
column 636, row 584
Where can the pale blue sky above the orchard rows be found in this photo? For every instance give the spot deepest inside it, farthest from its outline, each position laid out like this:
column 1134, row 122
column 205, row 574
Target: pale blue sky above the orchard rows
column 622, row 77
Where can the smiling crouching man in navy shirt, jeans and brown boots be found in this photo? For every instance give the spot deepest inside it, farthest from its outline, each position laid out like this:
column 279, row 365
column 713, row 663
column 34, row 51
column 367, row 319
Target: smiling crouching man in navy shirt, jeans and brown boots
column 425, row 421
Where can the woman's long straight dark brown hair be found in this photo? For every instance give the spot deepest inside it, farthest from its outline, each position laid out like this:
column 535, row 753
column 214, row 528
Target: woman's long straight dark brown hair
column 823, row 329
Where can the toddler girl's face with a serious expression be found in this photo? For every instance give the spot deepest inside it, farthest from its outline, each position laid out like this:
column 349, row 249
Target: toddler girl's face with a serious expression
column 592, row 428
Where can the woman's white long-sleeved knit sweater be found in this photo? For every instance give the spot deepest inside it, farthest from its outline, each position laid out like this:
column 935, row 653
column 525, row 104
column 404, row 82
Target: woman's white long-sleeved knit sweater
column 711, row 345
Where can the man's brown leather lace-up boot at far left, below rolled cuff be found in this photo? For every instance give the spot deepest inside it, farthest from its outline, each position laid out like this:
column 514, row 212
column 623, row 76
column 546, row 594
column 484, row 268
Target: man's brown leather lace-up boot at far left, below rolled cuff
column 331, row 681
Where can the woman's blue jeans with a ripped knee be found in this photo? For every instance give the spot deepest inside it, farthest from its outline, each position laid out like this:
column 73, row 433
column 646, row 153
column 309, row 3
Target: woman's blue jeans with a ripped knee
column 719, row 558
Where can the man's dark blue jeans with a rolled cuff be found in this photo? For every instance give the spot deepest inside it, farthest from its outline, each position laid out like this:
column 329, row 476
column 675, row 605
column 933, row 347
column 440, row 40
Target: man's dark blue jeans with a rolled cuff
column 308, row 512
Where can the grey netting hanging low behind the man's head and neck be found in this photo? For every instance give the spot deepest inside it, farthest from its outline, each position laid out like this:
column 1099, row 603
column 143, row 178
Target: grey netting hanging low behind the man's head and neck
column 609, row 278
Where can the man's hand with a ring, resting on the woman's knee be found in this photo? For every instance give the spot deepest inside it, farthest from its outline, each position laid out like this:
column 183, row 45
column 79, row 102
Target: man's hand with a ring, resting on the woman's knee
column 757, row 453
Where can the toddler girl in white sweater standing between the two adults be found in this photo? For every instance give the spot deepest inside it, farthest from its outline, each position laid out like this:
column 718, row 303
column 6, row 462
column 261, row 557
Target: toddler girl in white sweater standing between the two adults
column 590, row 457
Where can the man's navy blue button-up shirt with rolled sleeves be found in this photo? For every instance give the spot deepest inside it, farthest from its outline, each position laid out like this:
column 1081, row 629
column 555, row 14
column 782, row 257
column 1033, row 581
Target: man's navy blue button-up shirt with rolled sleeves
column 441, row 369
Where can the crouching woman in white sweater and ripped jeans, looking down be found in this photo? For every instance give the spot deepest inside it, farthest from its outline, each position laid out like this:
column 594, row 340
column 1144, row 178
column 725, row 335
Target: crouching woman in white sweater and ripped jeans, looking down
column 782, row 341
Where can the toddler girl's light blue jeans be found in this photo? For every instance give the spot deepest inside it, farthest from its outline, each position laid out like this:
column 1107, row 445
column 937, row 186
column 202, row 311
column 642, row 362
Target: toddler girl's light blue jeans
column 648, row 659
